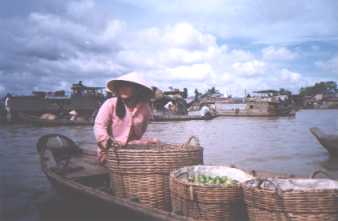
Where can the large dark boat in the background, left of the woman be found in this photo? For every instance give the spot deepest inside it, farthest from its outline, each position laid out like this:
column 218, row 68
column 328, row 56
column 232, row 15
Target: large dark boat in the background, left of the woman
column 85, row 100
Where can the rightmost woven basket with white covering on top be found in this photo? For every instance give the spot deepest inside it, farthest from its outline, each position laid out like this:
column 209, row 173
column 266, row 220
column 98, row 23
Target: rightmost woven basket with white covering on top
column 277, row 199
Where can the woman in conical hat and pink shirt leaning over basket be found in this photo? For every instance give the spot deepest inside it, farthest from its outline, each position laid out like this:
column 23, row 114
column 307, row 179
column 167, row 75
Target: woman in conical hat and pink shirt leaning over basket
column 123, row 119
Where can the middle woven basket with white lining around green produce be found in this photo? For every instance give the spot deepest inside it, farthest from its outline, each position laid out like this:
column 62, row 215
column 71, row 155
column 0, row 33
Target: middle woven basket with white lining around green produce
column 208, row 202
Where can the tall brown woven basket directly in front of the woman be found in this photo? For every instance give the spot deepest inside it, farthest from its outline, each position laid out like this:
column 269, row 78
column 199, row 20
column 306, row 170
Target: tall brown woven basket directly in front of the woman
column 142, row 172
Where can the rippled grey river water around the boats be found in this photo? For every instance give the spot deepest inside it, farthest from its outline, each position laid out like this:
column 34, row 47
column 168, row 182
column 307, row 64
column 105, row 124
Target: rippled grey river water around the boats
column 271, row 144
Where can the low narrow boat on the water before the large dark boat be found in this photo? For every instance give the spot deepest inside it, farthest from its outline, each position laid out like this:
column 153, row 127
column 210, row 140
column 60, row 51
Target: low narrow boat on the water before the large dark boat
column 34, row 120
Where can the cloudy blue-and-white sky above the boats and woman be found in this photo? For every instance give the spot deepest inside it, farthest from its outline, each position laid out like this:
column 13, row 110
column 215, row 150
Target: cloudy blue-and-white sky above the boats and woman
column 236, row 46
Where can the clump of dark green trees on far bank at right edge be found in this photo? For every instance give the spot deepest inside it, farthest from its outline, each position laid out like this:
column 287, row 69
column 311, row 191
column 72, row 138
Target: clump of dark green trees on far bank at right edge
column 328, row 87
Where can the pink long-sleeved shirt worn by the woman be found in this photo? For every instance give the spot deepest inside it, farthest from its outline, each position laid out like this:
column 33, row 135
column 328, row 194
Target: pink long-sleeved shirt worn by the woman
column 130, row 128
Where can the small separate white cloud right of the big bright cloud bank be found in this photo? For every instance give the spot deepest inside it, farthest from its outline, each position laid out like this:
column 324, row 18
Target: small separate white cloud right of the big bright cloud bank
column 280, row 53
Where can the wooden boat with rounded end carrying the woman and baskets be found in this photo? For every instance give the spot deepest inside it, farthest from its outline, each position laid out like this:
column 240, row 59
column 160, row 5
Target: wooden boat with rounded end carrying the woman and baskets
column 76, row 174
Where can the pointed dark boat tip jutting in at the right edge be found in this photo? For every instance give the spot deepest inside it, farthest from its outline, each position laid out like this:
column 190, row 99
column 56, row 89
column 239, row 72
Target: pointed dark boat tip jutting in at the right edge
column 328, row 141
